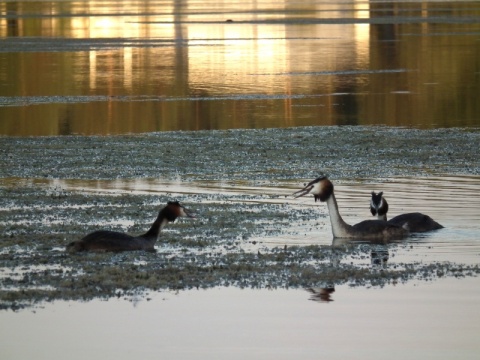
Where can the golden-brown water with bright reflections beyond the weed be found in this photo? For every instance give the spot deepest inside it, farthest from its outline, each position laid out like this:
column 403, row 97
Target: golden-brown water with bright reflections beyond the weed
column 109, row 67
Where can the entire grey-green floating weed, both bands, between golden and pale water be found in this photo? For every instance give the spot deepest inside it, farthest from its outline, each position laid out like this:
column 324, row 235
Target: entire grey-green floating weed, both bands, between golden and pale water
column 217, row 249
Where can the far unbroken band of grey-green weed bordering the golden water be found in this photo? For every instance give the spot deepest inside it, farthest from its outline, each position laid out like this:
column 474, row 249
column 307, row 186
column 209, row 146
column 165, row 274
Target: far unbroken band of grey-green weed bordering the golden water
column 254, row 155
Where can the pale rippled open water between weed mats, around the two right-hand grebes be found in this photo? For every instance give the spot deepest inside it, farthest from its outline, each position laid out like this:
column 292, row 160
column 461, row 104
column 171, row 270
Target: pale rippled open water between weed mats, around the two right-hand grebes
column 459, row 242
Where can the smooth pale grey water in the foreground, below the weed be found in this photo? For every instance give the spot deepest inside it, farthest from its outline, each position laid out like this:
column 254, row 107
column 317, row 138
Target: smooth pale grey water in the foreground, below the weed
column 438, row 320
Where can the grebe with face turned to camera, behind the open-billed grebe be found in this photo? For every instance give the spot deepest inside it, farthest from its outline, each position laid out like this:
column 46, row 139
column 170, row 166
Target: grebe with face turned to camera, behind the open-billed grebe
column 414, row 222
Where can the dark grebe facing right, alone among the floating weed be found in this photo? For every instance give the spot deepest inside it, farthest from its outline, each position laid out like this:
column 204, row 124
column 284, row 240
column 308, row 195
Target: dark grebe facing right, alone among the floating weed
column 105, row 240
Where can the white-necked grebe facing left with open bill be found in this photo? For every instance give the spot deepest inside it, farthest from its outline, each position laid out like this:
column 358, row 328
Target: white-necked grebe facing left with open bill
column 322, row 189
